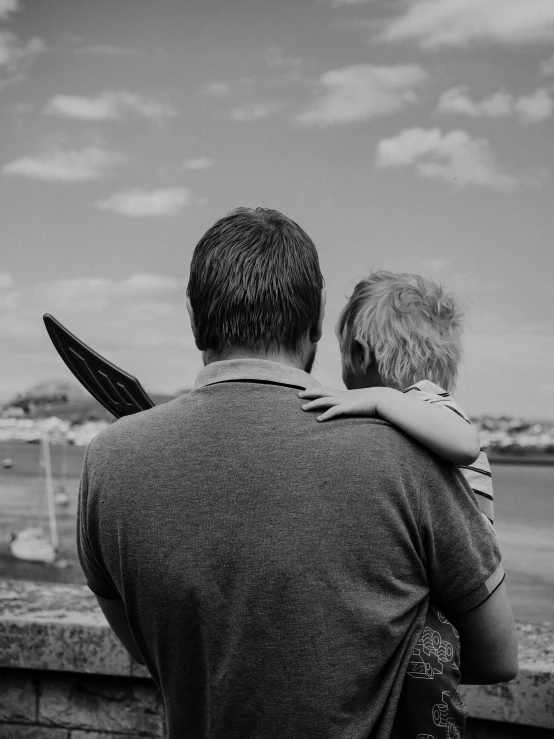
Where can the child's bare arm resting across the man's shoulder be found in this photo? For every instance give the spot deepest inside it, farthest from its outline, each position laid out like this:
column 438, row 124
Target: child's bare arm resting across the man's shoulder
column 446, row 434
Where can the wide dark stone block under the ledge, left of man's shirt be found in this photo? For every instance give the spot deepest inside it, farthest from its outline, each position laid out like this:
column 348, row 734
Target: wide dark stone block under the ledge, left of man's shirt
column 116, row 705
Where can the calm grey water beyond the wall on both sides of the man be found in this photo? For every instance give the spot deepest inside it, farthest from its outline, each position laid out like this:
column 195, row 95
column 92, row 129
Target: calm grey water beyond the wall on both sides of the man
column 524, row 513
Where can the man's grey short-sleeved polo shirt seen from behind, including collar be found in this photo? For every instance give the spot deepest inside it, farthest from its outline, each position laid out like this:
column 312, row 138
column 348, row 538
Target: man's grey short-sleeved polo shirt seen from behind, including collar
column 276, row 571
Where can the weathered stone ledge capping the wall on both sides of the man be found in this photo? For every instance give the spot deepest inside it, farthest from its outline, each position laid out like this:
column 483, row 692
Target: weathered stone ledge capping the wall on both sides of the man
column 61, row 628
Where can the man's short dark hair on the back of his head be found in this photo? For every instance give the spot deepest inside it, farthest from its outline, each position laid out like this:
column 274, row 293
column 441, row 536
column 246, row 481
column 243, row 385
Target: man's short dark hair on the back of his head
column 254, row 281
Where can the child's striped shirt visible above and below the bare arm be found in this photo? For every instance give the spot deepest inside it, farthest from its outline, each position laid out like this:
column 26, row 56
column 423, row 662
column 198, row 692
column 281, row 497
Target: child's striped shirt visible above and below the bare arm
column 477, row 474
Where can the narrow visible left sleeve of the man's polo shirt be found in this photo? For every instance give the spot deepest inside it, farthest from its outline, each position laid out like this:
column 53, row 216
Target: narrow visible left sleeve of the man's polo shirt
column 88, row 546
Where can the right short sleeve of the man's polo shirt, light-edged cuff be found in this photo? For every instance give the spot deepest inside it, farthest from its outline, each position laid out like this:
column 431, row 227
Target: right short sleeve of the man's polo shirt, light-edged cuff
column 460, row 551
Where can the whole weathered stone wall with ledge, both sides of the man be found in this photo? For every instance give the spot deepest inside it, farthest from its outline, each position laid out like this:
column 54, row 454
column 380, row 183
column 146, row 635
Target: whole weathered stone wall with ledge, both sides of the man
column 64, row 675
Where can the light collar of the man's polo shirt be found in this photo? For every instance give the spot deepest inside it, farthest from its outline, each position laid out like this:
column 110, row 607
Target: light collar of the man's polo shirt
column 260, row 370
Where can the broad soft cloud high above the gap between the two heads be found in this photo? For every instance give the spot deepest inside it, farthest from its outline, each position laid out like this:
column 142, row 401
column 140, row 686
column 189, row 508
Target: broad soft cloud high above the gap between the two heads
column 362, row 92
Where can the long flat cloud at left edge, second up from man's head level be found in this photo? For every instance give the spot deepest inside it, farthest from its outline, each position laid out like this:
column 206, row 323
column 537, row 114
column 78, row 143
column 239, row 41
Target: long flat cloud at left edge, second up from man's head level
column 57, row 165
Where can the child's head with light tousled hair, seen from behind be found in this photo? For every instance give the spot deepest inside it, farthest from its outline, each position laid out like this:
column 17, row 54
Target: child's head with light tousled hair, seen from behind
column 411, row 325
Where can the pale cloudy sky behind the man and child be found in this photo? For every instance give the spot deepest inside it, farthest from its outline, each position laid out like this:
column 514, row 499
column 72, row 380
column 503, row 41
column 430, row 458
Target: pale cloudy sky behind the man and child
column 409, row 135
